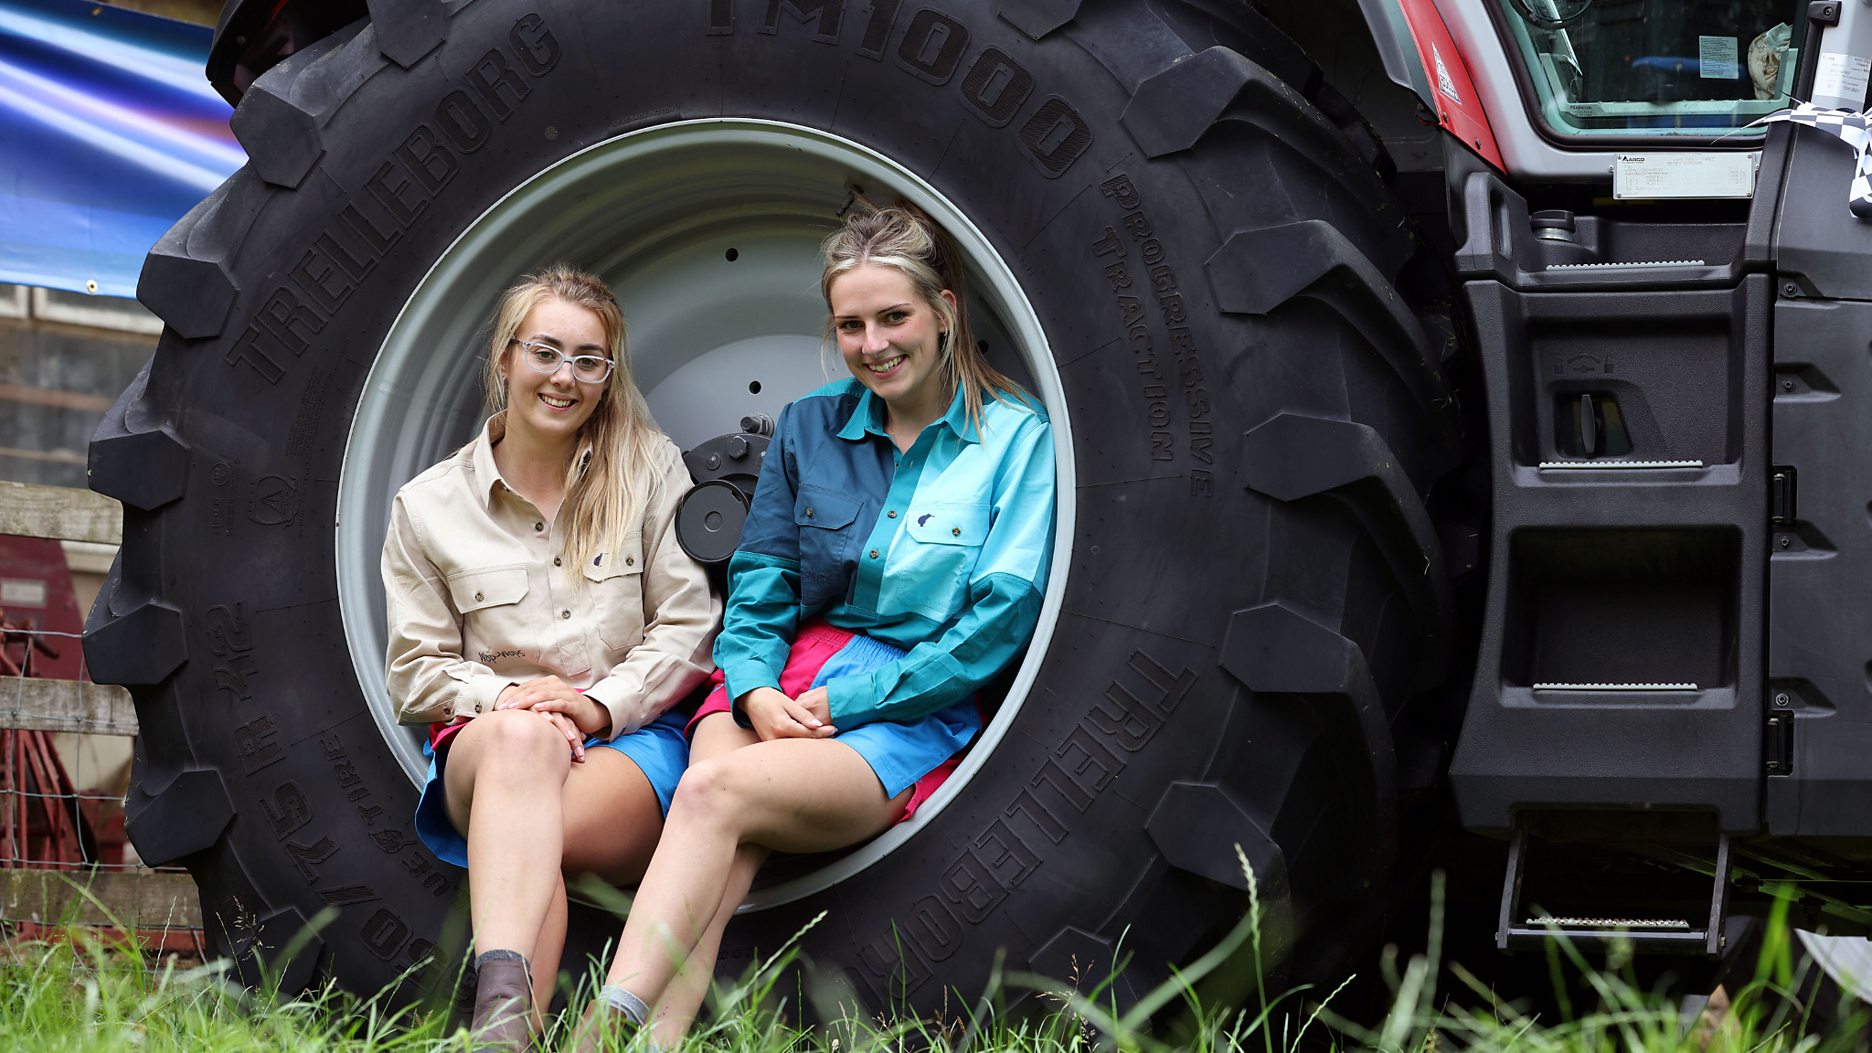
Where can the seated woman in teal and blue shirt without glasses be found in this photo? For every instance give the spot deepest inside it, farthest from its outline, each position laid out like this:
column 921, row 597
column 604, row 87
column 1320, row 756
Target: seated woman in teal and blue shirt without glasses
column 892, row 565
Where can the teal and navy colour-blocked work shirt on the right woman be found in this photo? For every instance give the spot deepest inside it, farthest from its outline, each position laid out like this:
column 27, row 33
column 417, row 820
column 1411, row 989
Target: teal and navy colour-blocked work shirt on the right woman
column 941, row 550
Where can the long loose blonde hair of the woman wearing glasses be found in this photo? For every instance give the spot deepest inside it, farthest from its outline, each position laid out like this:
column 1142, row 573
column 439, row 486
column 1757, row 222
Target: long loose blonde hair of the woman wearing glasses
column 602, row 492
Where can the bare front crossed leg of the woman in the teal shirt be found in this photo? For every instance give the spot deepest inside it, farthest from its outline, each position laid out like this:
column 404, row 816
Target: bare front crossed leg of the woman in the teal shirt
column 787, row 795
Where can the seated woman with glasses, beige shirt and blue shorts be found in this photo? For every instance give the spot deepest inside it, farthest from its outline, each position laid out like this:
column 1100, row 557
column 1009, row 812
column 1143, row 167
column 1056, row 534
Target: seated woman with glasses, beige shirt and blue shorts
column 544, row 621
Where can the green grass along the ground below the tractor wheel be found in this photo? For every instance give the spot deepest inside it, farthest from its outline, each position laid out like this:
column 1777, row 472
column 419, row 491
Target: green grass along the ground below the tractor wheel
column 85, row 994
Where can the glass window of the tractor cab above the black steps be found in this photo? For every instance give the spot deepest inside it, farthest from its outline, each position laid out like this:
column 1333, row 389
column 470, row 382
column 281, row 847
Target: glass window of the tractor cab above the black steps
column 1654, row 68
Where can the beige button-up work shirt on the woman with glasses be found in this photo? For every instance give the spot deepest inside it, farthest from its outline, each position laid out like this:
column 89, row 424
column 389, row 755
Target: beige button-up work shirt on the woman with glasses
column 480, row 597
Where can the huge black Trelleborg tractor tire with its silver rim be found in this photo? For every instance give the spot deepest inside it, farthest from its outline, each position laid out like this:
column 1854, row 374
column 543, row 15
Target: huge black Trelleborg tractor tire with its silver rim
column 1201, row 273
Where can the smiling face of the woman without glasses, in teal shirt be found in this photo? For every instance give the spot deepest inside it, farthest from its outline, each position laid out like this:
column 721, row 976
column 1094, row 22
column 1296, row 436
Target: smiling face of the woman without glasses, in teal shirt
column 892, row 340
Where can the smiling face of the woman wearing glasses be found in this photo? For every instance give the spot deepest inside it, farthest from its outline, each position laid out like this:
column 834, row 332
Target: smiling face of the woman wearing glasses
column 553, row 408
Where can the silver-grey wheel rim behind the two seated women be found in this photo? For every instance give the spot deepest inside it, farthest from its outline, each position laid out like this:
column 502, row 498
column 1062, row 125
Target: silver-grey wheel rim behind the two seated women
column 709, row 233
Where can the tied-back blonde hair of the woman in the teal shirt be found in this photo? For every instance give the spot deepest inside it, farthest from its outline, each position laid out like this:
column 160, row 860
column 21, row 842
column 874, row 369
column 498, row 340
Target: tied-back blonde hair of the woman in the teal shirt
column 911, row 243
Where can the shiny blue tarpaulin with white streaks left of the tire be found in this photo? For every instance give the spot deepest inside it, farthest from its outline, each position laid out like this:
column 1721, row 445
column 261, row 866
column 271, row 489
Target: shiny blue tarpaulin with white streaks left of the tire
column 110, row 134
